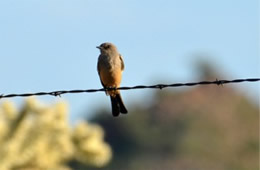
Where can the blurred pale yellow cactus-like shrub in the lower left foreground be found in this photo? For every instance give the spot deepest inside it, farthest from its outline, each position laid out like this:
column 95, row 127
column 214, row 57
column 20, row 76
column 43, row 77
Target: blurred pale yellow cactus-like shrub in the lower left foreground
column 39, row 137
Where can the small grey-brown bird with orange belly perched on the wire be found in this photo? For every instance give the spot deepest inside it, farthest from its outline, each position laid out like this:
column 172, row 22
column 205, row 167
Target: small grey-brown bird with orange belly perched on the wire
column 110, row 67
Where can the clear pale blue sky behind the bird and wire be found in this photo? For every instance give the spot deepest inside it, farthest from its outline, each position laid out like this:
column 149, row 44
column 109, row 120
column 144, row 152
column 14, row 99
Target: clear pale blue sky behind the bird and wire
column 50, row 45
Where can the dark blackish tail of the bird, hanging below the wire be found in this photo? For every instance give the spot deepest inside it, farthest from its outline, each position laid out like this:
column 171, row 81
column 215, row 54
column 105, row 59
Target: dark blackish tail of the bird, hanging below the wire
column 117, row 105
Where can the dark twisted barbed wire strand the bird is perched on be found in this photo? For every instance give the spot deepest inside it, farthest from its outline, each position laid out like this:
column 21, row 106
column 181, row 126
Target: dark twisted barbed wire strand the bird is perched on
column 157, row 86
